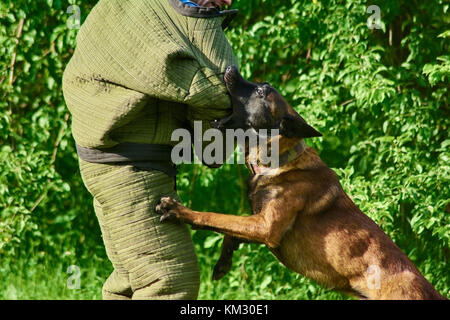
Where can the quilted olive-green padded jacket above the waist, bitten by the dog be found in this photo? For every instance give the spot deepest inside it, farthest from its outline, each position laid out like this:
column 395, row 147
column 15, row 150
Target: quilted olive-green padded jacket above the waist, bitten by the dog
column 141, row 69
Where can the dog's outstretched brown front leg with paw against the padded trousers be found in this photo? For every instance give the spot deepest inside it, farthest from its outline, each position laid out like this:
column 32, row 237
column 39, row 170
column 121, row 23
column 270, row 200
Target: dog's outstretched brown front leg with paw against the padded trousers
column 252, row 228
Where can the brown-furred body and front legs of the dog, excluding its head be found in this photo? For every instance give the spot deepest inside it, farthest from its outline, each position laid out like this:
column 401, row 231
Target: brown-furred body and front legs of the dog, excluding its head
column 310, row 224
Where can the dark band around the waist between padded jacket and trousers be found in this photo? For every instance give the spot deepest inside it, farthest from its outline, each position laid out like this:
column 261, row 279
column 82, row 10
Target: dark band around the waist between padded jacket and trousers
column 141, row 155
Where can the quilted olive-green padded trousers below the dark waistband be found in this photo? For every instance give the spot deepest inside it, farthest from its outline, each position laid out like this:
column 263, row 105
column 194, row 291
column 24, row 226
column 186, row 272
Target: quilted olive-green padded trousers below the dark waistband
column 152, row 260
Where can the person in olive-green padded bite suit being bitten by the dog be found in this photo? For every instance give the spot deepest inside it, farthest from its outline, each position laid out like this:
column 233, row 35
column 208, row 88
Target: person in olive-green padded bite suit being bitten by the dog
column 141, row 69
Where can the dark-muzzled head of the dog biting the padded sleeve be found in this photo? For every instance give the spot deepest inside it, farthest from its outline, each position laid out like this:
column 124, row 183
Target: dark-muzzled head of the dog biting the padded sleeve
column 260, row 106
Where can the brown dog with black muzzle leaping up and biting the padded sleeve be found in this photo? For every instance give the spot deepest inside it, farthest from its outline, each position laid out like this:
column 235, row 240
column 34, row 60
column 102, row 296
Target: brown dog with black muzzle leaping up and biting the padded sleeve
column 301, row 212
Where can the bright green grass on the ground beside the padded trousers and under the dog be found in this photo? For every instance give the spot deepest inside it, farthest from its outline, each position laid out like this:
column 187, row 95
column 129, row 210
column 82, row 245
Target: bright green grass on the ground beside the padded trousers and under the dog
column 256, row 274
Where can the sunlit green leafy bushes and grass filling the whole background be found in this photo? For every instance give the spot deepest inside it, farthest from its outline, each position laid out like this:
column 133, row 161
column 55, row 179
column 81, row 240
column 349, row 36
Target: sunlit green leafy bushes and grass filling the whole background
column 380, row 97
